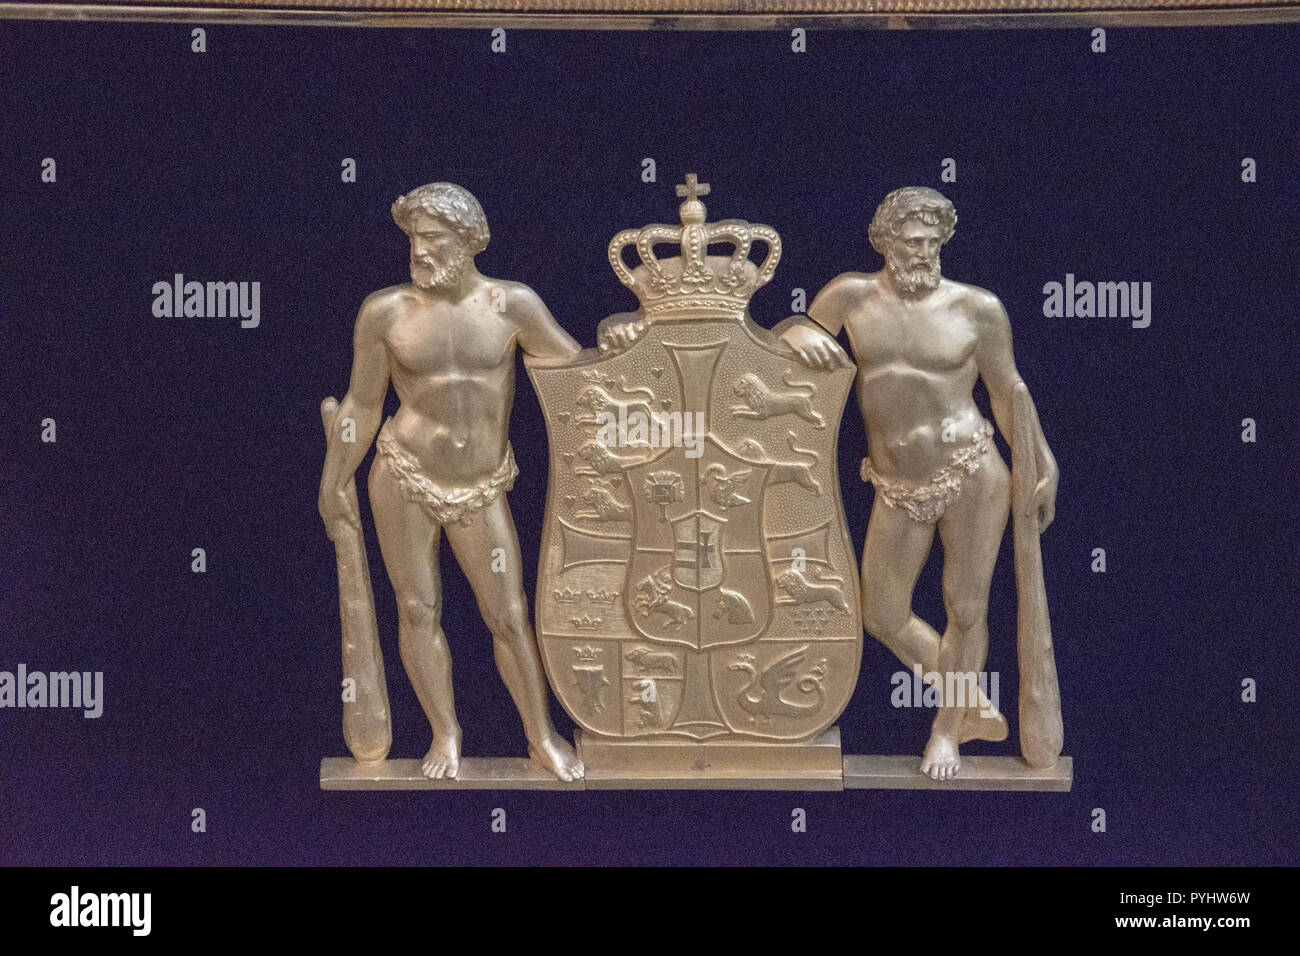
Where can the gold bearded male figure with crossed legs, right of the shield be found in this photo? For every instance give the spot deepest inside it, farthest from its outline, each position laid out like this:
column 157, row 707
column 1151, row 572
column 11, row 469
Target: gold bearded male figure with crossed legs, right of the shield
column 921, row 341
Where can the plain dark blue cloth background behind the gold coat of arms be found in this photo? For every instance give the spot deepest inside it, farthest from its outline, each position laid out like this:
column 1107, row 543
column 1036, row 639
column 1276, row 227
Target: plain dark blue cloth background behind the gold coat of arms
column 223, row 689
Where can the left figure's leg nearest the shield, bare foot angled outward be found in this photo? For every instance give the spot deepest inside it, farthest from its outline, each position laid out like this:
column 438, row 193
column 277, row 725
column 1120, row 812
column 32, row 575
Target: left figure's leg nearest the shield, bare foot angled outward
column 505, row 611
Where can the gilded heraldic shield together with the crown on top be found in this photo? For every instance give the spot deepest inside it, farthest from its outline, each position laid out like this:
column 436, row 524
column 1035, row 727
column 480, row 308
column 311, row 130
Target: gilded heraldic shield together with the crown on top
column 697, row 579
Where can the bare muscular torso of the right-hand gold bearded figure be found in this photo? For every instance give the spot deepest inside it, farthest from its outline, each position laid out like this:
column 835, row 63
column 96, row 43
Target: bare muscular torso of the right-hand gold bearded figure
column 917, row 371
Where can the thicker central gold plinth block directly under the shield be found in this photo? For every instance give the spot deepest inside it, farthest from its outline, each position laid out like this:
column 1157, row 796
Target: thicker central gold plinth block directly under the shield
column 713, row 765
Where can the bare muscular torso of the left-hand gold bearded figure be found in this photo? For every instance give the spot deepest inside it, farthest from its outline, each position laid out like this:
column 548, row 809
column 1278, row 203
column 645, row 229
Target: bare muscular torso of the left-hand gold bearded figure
column 453, row 366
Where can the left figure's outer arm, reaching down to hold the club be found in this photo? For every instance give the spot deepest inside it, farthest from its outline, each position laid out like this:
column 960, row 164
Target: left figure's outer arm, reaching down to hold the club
column 365, row 405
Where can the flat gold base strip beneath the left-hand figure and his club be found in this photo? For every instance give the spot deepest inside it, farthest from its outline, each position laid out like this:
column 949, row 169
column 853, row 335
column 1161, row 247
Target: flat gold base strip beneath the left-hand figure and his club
column 476, row 773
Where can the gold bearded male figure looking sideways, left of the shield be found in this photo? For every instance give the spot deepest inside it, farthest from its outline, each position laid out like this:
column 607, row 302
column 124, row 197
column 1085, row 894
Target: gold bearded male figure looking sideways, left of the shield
column 447, row 340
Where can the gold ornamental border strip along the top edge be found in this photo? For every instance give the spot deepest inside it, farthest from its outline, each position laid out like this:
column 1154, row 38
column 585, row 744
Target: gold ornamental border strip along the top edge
column 675, row 15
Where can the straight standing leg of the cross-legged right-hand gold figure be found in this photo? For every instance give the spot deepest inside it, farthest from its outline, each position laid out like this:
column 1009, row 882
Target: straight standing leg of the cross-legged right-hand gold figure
column 972, row 531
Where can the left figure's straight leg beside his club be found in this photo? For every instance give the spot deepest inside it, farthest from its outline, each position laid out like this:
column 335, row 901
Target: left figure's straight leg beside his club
column 409, row 540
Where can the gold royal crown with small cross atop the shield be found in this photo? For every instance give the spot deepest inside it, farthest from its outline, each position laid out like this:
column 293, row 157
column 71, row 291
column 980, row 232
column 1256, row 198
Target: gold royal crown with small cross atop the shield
column 696, row 284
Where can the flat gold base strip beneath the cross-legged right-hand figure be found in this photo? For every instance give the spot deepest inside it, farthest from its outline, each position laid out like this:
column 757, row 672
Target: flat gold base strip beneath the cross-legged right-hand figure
column 977, row 773
